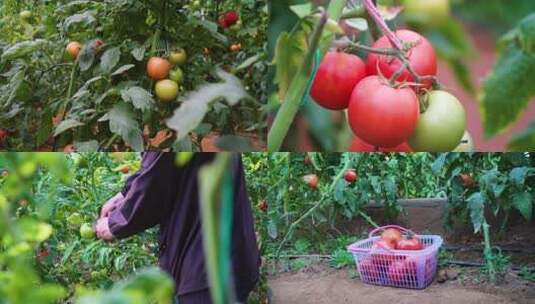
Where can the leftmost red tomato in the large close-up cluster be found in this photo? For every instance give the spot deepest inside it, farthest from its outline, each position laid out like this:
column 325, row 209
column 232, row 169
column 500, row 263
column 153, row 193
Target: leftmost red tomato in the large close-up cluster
column 335, row 80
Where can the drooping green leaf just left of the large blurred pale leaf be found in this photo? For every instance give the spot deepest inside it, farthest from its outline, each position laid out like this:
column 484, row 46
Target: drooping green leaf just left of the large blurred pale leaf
column 122, row 122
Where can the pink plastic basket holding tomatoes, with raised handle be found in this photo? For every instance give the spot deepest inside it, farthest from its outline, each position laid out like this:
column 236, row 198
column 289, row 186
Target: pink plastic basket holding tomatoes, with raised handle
column 414, row 269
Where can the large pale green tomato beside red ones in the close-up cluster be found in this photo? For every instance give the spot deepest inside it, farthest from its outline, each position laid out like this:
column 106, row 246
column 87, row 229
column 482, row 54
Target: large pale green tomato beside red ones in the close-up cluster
column 441, row 127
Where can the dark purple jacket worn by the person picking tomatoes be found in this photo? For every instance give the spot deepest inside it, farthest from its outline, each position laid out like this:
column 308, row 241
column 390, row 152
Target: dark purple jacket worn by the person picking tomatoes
column 161, row 193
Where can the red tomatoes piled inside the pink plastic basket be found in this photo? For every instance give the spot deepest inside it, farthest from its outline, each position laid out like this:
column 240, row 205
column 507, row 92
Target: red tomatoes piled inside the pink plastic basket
column 382, row 265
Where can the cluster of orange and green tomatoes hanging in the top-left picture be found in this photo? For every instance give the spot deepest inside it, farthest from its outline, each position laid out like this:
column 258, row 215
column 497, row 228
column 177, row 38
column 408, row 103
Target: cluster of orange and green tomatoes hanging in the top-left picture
column 167, row 74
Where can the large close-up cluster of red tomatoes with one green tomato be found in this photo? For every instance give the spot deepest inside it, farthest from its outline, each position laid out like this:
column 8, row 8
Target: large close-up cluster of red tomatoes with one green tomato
column 386, row 115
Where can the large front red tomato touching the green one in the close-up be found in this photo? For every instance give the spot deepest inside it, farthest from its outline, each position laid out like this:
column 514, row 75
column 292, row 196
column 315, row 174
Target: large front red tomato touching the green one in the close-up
column 381, row 115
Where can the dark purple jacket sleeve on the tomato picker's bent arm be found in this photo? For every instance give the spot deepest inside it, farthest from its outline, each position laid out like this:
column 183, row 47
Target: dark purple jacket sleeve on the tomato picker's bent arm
column 147, row 197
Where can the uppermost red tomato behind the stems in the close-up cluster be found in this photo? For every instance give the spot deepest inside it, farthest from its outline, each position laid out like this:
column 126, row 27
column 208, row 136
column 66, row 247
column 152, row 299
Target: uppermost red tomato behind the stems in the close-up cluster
column 422, row 58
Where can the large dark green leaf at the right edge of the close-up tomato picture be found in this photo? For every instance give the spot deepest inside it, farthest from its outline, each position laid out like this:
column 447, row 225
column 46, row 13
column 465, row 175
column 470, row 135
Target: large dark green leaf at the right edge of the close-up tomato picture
column 507, row 90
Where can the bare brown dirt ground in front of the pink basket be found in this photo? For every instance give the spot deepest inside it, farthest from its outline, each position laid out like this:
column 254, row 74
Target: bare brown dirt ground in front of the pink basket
column 319, row 283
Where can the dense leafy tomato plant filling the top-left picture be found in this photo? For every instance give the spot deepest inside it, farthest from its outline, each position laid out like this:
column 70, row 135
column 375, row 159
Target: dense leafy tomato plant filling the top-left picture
column 105, row 99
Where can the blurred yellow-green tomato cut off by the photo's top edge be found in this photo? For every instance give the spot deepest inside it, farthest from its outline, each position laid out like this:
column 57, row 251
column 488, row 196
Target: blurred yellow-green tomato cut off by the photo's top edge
column 428, row 12
